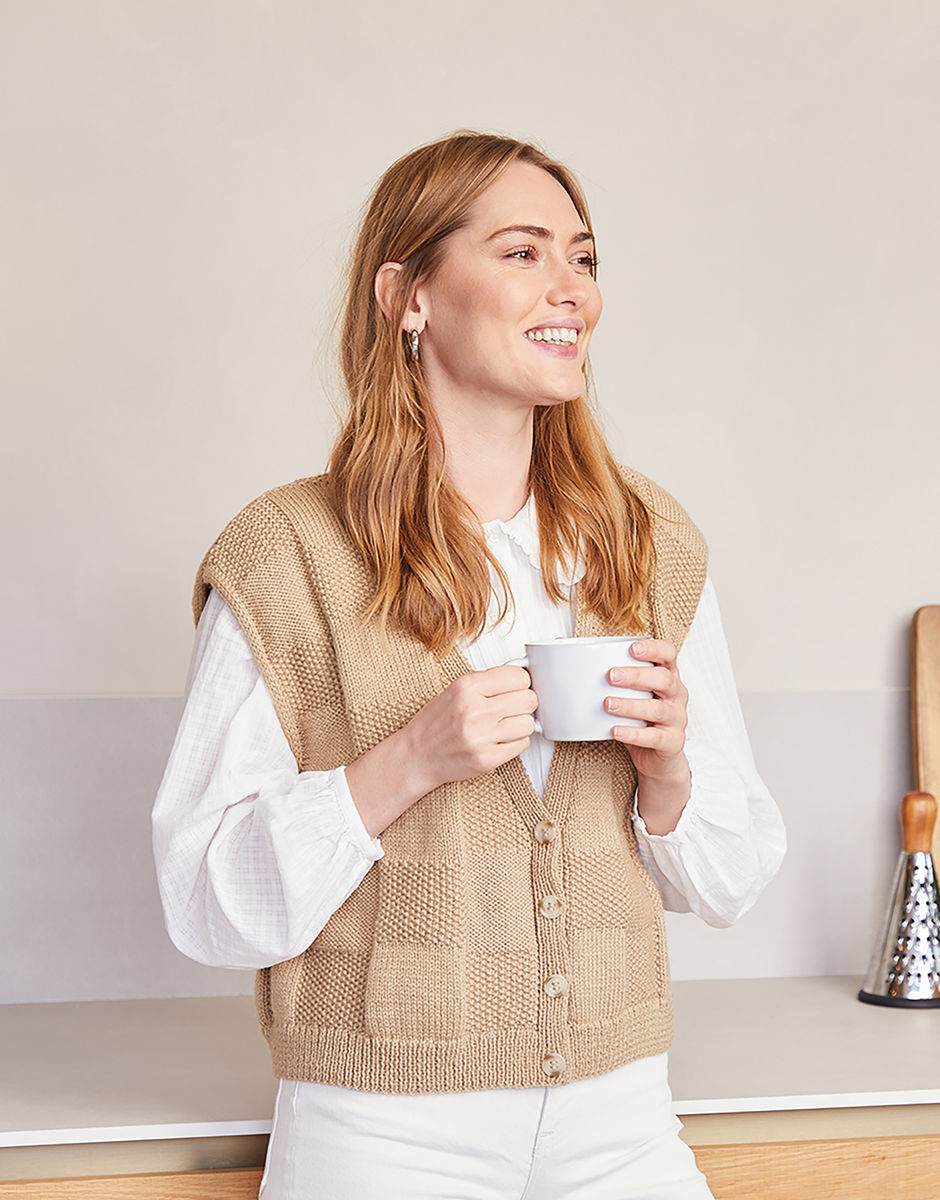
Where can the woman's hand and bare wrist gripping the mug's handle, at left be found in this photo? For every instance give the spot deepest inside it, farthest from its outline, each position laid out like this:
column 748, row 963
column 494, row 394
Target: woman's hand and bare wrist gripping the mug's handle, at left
column 477, row 724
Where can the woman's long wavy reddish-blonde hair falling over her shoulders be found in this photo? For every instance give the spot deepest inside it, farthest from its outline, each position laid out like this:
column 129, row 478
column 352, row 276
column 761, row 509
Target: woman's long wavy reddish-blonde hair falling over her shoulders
column 423, row 543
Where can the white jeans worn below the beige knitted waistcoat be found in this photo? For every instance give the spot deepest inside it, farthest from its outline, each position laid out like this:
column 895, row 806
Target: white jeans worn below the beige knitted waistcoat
column 614, row 1137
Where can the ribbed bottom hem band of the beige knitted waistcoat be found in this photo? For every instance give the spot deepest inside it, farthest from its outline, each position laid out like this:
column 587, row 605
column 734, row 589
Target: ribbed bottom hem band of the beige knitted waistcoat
column 507, row 1059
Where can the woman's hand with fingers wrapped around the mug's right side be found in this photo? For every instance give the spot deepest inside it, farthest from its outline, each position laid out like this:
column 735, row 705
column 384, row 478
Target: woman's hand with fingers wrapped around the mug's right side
column 657, row 748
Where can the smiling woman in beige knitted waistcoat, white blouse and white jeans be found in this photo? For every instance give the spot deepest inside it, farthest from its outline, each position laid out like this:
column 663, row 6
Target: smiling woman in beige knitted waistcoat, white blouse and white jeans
column 478, row 1004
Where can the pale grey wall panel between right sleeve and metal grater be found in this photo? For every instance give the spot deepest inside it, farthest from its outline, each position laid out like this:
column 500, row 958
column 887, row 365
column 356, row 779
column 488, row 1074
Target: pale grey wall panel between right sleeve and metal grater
column 837, row 764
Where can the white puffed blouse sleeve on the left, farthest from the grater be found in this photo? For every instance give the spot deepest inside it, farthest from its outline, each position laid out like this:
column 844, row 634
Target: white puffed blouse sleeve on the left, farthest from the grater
column 253, row 856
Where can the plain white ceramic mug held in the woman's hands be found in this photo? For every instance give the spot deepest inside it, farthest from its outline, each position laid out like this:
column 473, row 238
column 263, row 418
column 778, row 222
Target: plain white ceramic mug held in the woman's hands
column 570, row 676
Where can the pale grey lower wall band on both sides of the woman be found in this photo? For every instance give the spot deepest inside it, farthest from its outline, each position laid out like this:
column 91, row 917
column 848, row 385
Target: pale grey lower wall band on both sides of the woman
column 81, row 916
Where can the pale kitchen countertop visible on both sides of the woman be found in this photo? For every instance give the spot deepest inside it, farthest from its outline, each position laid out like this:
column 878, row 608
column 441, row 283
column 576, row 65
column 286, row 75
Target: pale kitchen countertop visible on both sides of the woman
column 147, row 1070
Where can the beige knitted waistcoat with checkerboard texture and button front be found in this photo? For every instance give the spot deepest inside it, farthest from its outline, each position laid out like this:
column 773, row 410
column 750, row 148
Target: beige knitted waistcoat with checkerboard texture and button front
column 504, row 940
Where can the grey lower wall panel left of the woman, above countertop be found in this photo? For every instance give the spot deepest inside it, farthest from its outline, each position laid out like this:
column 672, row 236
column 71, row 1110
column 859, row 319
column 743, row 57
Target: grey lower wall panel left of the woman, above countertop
column 81, row 916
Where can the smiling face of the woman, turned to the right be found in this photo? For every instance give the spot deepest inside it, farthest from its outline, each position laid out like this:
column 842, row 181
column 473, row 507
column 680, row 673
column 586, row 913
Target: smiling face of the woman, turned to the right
column 508, row 316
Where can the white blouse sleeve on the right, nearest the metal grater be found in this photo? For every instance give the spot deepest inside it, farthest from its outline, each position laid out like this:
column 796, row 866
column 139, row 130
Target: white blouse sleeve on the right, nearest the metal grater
column 731, row 839
